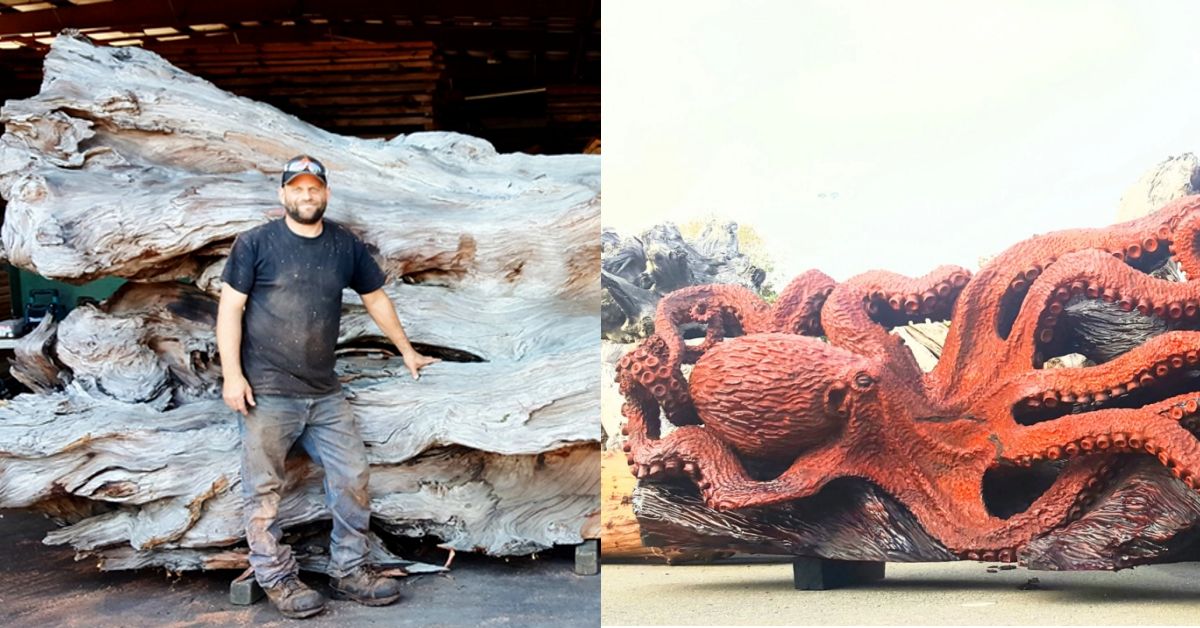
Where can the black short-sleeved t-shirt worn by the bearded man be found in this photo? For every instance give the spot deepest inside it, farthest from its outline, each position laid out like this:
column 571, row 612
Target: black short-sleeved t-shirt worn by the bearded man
column 295, row 306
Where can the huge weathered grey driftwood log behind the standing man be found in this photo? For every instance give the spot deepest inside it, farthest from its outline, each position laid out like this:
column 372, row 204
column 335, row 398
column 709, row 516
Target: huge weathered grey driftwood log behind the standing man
column 125, row 166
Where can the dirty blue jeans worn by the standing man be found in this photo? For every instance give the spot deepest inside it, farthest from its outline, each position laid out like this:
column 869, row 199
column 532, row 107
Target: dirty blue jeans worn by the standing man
column 327, row 432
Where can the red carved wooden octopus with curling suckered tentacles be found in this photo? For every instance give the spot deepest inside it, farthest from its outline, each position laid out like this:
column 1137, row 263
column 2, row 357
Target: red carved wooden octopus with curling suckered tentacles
column 772, row 414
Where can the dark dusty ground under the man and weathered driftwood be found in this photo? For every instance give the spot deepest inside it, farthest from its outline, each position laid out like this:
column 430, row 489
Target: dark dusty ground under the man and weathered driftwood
column 43, row 585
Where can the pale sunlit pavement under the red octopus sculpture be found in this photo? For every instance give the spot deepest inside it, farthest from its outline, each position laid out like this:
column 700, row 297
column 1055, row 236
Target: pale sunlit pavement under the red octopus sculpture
column 951, row 594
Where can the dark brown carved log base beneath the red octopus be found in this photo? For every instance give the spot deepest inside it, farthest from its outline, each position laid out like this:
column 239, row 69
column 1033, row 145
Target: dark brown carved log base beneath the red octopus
column 855, row 522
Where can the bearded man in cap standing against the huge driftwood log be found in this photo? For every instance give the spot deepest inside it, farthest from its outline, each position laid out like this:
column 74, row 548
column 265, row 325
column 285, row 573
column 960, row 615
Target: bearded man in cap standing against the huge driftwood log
column 278, row 361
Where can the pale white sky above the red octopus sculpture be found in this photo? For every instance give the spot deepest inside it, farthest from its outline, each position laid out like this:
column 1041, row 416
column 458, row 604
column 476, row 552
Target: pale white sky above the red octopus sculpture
column 889, row 135
